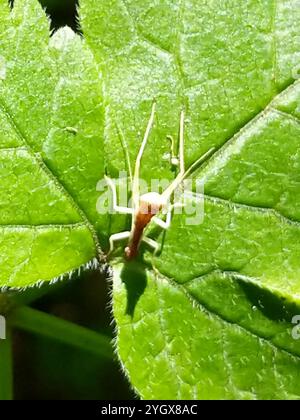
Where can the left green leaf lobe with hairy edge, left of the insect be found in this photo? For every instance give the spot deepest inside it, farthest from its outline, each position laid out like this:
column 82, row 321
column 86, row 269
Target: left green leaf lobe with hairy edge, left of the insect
column 51, row 126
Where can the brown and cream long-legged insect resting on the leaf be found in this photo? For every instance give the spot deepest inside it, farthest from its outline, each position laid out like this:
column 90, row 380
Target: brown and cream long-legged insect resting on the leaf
column 146, row 207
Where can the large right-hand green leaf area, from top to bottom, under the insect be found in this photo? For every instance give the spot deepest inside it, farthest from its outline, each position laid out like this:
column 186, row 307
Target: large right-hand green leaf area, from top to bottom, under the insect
column 211, row 316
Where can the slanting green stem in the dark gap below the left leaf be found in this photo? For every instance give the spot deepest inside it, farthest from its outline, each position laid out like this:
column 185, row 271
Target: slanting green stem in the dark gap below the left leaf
column 49, row 326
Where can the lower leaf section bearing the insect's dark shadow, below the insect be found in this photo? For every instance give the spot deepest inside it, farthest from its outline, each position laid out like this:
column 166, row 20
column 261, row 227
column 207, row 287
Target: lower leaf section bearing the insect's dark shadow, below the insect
column 213, row 338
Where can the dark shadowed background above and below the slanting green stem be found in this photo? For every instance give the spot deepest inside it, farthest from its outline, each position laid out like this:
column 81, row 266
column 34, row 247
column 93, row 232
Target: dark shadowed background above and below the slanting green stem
column 46, row 369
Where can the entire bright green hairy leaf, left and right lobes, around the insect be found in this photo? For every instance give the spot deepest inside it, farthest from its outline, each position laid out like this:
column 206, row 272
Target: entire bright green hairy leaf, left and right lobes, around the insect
column 211, row 316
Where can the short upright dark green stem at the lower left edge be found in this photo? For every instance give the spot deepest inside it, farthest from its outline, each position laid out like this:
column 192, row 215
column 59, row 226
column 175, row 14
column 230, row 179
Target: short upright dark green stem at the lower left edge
column 6, row 374
